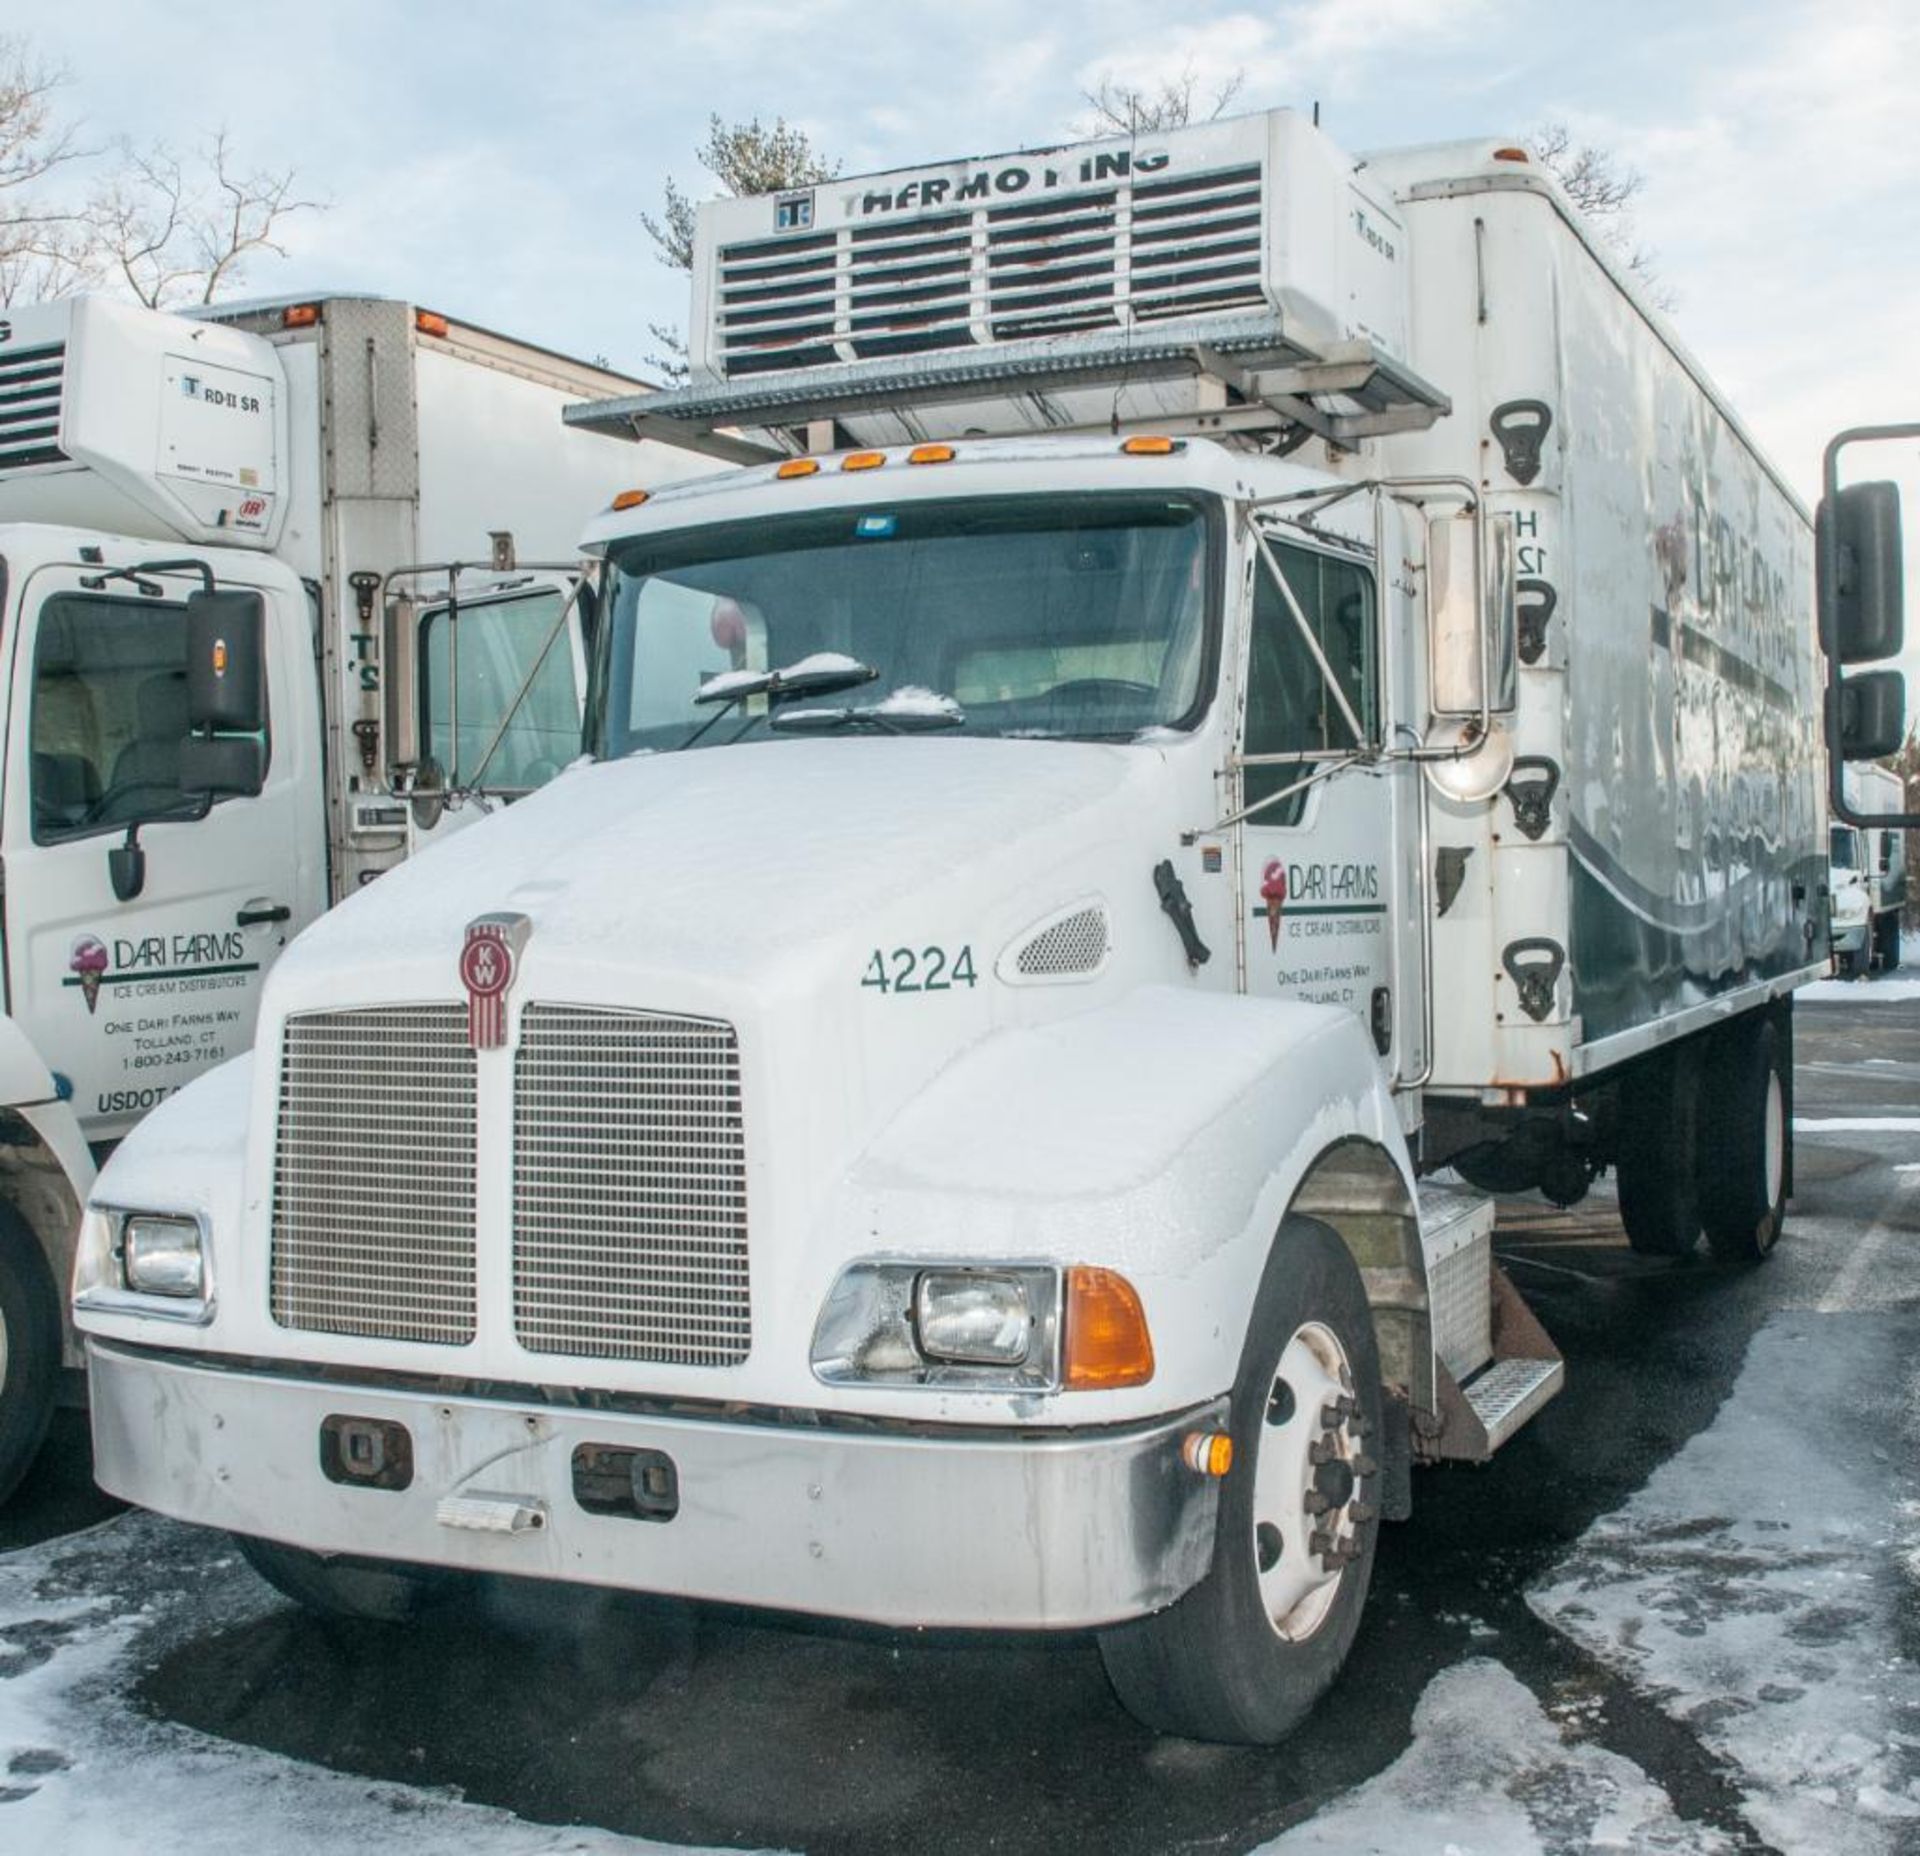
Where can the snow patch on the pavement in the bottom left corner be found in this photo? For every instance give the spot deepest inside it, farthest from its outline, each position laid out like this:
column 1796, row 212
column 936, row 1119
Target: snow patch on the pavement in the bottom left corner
column 87, row 1774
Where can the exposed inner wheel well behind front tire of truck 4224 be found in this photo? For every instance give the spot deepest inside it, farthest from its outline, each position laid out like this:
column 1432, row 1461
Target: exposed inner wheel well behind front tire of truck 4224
column 1358, row 1191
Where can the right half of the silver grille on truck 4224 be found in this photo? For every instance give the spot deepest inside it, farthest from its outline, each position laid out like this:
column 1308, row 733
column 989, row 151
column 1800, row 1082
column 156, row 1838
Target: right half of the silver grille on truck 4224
column 629, row 1189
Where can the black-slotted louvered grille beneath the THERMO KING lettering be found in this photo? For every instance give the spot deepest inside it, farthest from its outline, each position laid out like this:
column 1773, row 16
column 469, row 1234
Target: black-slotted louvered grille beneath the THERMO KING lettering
column 1141, row 250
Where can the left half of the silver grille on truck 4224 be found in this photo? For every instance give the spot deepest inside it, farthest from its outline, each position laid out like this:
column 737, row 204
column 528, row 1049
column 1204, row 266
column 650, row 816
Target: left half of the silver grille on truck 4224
column 373, row 1176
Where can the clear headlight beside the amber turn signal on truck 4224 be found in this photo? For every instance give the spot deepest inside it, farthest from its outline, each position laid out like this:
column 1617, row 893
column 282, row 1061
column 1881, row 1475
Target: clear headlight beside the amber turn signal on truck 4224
column 942, row 1325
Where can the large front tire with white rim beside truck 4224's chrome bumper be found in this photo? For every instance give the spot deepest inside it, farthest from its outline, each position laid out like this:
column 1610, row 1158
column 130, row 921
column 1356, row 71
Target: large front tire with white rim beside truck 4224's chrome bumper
column 1216, row 1667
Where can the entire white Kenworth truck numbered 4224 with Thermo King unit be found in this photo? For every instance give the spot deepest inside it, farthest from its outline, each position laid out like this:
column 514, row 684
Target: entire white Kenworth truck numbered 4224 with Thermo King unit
column 1241, row 680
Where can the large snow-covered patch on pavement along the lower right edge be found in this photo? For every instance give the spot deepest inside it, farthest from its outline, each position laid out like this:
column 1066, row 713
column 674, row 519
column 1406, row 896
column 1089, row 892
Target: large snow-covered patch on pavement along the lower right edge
column 1756, row 1586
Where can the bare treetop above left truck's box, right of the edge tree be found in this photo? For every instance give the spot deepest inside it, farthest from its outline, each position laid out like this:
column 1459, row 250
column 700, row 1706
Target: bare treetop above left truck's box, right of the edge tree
column 176, row 233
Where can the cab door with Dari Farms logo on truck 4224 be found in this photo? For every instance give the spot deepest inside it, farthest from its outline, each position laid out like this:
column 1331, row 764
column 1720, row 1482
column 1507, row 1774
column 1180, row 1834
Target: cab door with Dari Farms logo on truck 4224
column 1320, row 870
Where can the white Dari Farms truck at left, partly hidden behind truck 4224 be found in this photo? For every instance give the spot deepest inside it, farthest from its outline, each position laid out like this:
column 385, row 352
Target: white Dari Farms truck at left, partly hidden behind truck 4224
column 287, row 462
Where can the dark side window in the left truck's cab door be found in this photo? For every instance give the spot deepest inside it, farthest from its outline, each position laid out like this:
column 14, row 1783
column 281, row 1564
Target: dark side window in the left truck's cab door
column 108, row 713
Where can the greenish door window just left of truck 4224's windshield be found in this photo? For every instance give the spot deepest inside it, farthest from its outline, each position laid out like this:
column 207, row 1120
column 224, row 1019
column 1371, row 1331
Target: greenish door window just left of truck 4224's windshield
column 504, row 642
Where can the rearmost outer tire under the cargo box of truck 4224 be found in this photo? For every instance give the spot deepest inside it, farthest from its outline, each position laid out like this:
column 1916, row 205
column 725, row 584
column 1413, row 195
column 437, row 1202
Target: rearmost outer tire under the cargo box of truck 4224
column 1746, row 1166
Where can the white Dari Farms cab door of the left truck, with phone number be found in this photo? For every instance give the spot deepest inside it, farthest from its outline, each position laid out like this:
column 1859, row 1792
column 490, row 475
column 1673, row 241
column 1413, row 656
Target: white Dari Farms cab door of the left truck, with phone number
column 132, row 997
